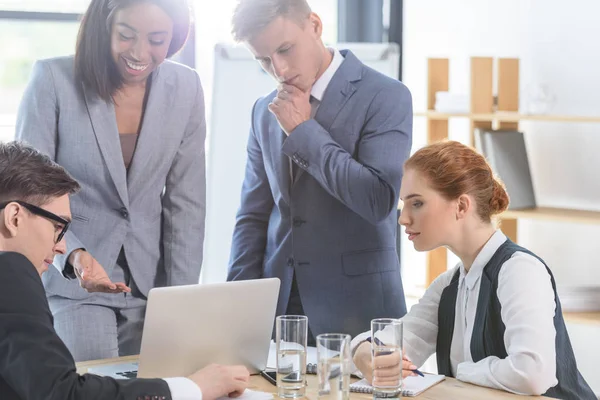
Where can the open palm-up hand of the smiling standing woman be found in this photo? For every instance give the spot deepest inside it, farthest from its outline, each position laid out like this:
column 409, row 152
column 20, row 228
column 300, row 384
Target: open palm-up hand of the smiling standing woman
column 92, row 277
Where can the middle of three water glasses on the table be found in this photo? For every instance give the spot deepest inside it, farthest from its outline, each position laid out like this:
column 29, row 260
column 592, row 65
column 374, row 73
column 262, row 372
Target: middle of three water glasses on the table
column 333, row 366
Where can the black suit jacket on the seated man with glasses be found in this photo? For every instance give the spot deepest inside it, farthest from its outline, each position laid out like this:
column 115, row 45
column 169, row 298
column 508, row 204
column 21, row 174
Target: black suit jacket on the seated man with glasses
column 34, row 362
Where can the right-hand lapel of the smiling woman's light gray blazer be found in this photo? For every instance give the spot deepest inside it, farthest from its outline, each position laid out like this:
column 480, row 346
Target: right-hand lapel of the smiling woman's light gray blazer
column 160, row 98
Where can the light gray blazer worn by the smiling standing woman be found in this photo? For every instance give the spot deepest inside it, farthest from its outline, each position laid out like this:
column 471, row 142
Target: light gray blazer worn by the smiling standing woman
column 156, row 210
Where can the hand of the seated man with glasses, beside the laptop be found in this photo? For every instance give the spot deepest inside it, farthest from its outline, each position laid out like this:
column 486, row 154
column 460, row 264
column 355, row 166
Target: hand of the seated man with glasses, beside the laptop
column 219, row 380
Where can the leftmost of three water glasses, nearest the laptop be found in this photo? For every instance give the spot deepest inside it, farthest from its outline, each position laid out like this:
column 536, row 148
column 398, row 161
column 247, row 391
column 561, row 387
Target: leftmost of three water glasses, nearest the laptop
column 291, row 334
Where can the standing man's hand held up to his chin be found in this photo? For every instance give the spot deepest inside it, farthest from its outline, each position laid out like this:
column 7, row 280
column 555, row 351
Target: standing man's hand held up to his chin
column 291, row 107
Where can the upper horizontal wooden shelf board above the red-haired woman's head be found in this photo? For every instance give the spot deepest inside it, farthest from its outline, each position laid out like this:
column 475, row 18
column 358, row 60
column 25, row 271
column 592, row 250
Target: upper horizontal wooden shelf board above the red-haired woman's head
column 507, row 117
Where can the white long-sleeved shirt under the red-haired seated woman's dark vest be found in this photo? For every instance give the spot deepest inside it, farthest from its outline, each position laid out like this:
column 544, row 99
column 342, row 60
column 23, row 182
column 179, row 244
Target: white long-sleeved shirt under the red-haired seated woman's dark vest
column 528, row 306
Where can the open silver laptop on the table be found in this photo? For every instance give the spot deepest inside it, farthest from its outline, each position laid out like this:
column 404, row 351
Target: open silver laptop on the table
column 188, row 327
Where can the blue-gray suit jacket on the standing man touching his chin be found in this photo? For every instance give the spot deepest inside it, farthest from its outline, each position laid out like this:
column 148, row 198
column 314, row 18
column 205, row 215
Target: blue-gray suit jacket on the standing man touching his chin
column 335, row 225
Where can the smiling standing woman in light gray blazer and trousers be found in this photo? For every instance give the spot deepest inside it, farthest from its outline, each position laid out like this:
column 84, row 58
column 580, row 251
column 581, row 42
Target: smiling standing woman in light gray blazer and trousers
column 129, row 126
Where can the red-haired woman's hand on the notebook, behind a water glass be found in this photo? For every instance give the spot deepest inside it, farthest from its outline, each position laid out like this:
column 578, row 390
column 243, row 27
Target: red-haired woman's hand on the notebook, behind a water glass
column 387, row 368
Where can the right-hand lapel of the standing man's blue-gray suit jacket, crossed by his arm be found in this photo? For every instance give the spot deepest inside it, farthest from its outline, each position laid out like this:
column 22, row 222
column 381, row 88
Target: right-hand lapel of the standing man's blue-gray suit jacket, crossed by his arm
column 338, row 92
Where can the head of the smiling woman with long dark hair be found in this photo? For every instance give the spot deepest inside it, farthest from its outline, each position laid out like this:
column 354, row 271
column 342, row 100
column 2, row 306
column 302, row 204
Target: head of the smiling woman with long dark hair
column 143, row 33
